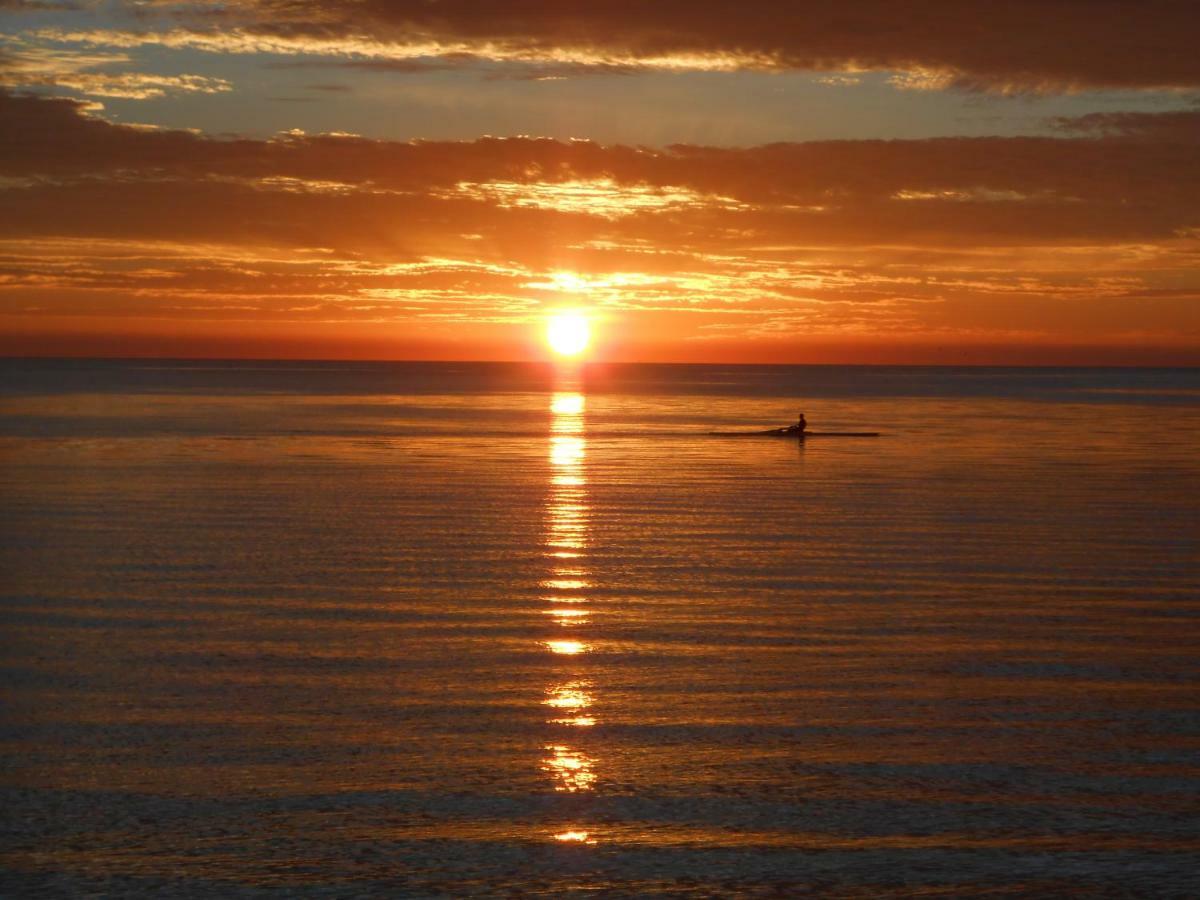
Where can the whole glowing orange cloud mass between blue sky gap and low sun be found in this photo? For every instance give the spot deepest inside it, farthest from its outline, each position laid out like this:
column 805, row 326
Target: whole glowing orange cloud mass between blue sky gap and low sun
column 1095, row 235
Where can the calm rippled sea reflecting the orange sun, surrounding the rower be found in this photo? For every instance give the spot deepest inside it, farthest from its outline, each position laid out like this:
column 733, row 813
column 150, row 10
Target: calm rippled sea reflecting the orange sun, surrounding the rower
column 441, row 631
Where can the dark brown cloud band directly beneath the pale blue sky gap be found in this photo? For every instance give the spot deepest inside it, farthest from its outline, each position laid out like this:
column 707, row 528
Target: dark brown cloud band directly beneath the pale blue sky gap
column 1069, row 178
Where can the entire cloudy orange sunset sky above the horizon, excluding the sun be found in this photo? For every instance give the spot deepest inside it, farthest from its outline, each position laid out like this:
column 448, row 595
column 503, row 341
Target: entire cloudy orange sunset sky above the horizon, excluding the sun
column 949, row 182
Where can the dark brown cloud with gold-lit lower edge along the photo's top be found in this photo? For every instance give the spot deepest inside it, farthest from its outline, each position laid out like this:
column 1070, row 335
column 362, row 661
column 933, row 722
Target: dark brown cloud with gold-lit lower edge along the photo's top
column 1021, row 45
